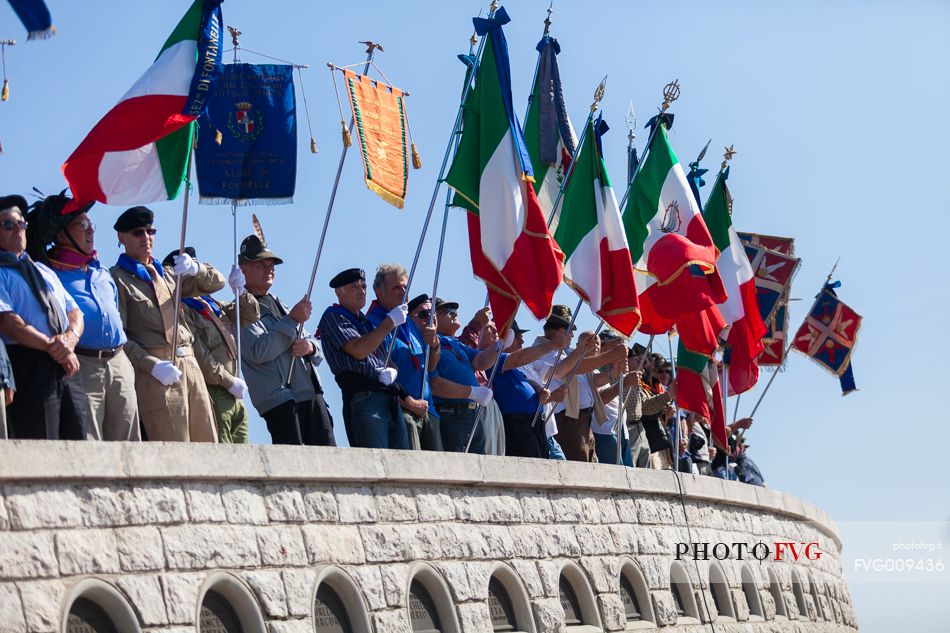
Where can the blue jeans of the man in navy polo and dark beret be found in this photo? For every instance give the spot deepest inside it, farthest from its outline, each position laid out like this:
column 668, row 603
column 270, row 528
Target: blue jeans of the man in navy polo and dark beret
column 374, row 421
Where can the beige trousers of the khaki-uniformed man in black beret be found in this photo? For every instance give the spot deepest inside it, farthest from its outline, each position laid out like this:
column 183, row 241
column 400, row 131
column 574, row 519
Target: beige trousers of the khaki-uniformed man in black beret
column 179, row 413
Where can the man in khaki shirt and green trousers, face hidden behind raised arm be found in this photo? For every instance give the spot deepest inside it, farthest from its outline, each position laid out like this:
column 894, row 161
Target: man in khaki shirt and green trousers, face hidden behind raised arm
column 216, row 351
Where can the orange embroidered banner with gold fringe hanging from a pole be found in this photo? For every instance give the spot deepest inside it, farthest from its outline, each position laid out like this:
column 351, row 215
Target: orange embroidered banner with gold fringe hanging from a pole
column 380, row 116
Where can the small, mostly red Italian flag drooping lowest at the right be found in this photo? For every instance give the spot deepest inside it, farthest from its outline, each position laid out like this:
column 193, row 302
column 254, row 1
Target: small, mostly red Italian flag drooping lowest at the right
column 698, row 390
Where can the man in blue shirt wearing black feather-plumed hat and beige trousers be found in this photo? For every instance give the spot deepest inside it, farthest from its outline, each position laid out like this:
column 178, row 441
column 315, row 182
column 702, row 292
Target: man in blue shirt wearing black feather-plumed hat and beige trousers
column 105, row 372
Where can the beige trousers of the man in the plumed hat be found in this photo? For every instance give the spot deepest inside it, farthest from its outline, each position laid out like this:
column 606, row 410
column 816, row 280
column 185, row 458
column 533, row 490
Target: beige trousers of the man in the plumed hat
column 110, row 395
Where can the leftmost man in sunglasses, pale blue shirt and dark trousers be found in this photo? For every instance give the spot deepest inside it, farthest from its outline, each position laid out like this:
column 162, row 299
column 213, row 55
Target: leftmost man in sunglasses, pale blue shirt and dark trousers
column 40, row 323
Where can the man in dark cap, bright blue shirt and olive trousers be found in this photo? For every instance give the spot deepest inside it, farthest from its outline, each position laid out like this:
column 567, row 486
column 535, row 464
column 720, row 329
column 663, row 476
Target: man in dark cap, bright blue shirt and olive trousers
column 422, row 420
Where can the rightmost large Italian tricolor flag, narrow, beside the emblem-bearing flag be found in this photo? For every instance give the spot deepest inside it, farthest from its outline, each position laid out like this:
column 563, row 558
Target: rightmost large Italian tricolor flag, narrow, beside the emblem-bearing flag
column 740, row 310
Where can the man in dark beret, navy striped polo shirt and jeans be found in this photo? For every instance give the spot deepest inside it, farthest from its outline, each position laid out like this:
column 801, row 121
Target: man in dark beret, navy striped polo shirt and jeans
column 356, row 352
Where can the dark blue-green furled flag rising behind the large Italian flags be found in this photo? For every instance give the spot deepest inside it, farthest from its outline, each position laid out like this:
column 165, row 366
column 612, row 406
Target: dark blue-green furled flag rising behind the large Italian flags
column 548, row 132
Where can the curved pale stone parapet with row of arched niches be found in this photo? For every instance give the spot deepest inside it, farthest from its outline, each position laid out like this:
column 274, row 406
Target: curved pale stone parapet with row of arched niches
column 189, row 538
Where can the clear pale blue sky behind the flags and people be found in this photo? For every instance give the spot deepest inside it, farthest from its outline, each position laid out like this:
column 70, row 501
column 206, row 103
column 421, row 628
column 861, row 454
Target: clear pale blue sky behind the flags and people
column 837, row 110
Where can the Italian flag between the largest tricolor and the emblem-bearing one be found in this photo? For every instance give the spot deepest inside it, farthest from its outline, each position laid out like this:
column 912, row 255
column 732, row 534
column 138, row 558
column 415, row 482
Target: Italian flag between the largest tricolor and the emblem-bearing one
column 590, row 233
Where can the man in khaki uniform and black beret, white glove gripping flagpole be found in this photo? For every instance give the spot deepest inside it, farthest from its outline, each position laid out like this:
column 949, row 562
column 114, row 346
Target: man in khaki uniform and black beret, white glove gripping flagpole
column 173, row 401
